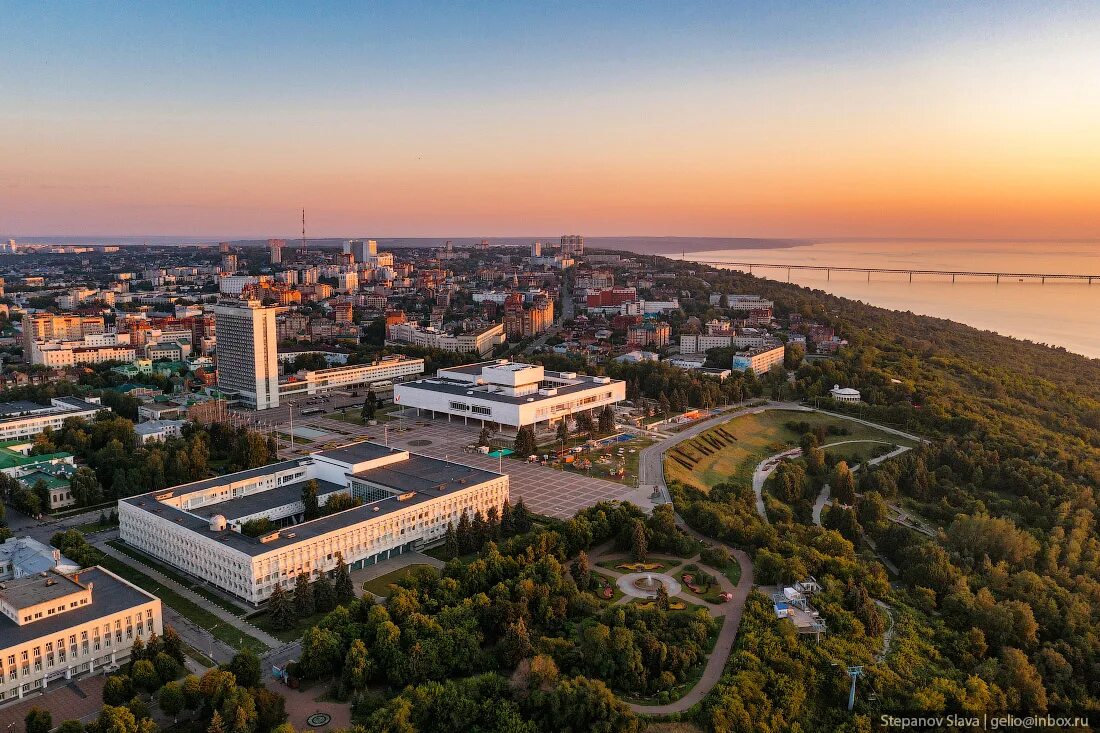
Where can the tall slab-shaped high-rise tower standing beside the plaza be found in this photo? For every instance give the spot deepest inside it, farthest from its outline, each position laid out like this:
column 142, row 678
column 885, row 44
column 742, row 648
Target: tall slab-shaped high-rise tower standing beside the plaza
column 248, row 352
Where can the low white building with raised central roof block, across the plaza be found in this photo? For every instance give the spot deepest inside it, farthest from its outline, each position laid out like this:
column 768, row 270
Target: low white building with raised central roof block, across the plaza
column 509, row 393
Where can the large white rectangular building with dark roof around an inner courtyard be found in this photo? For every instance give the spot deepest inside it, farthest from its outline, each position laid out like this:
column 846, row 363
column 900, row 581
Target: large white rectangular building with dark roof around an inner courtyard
column 409, row 502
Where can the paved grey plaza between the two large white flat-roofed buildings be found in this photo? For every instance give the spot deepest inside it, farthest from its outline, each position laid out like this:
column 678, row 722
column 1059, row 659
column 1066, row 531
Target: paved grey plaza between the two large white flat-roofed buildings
column 545, row 490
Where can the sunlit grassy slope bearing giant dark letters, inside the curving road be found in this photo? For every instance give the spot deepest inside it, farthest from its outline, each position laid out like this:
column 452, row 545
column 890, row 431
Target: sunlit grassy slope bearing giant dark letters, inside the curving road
column 730, row 453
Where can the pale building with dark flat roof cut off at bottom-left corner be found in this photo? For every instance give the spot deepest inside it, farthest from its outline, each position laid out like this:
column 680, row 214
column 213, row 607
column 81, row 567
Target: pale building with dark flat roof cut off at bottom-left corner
column 56, row 627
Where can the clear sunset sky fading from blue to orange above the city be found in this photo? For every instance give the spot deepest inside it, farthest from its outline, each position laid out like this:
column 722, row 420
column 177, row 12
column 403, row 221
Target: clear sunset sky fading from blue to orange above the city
column 406, row 119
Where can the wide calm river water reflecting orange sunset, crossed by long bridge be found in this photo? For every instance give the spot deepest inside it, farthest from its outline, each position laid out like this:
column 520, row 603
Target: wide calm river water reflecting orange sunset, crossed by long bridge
column 1064, row 314
